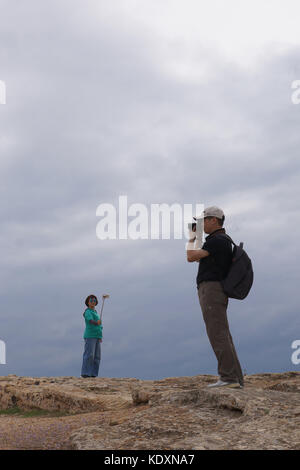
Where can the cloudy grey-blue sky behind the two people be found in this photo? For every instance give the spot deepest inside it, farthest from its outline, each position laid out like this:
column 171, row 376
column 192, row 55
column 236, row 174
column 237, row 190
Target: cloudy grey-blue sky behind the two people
column 165, row 102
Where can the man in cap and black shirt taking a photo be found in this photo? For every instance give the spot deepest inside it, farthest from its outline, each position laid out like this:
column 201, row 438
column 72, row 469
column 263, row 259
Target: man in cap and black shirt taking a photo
column 214, row 259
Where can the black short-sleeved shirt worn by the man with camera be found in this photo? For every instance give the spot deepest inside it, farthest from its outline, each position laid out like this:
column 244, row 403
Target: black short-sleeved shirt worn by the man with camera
column 215, row 267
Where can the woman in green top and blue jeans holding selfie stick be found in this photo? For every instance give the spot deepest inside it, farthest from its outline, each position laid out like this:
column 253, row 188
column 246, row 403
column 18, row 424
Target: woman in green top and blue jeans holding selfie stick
column 93, row 338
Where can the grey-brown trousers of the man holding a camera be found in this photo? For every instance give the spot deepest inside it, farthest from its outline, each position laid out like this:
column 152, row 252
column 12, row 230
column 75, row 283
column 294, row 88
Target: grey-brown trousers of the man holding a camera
column 214, row 302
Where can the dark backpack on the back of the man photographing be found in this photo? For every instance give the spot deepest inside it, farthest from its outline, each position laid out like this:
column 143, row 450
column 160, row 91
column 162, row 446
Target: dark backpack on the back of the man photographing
column 239, row 279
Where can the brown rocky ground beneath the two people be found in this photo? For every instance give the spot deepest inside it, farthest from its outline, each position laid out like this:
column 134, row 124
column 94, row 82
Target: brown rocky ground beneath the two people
column 170, row 414
